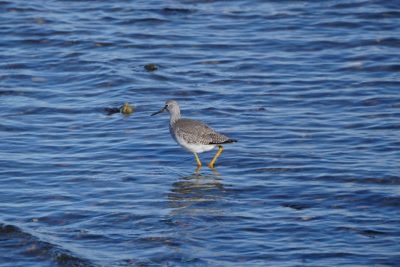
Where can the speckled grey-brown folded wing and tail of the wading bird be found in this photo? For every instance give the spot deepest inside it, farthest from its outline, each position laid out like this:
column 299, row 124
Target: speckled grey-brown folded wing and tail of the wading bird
column 196, row 132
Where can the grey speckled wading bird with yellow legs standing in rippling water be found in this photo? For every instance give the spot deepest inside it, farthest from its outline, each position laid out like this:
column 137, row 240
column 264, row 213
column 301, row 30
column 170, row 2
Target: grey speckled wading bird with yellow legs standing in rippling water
column 192, row 135
